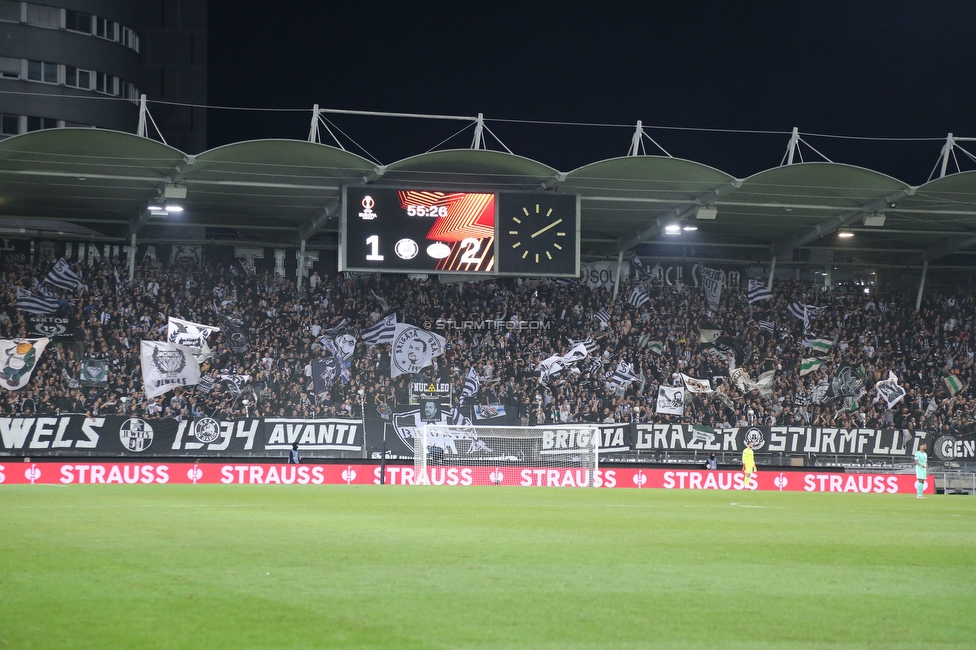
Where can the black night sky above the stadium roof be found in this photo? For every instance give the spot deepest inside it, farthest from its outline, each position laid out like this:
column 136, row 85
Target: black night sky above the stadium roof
column 866, row 69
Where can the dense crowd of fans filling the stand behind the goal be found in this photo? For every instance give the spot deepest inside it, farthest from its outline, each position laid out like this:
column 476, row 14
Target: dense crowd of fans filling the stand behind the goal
column 879, row 333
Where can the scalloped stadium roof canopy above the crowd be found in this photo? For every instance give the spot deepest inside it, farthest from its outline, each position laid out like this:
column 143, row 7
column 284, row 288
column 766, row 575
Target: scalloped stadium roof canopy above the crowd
column 99, row 185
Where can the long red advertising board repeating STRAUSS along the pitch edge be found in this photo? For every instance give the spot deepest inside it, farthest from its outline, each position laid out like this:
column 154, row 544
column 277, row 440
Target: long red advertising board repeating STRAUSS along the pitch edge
column 367, row 474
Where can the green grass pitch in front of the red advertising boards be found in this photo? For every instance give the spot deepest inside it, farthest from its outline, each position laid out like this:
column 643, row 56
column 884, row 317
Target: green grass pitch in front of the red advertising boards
column 409, row 567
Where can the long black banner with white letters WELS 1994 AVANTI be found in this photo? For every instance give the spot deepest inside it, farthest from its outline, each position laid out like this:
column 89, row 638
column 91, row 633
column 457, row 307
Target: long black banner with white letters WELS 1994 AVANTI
column 78, row 435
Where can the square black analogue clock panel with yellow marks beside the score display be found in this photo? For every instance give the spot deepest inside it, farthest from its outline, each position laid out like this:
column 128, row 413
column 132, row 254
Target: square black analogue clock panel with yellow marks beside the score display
column 538, row 234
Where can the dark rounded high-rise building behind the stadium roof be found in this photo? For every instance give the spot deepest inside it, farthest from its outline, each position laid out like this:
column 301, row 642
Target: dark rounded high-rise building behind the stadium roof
column 86, row 62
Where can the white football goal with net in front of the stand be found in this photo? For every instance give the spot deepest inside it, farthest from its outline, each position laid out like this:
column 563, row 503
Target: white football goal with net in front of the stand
column 559, row 455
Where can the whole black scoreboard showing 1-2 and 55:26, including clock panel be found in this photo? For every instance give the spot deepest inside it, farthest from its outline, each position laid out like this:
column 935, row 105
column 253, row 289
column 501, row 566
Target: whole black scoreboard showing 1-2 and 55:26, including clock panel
column 495, row 233
